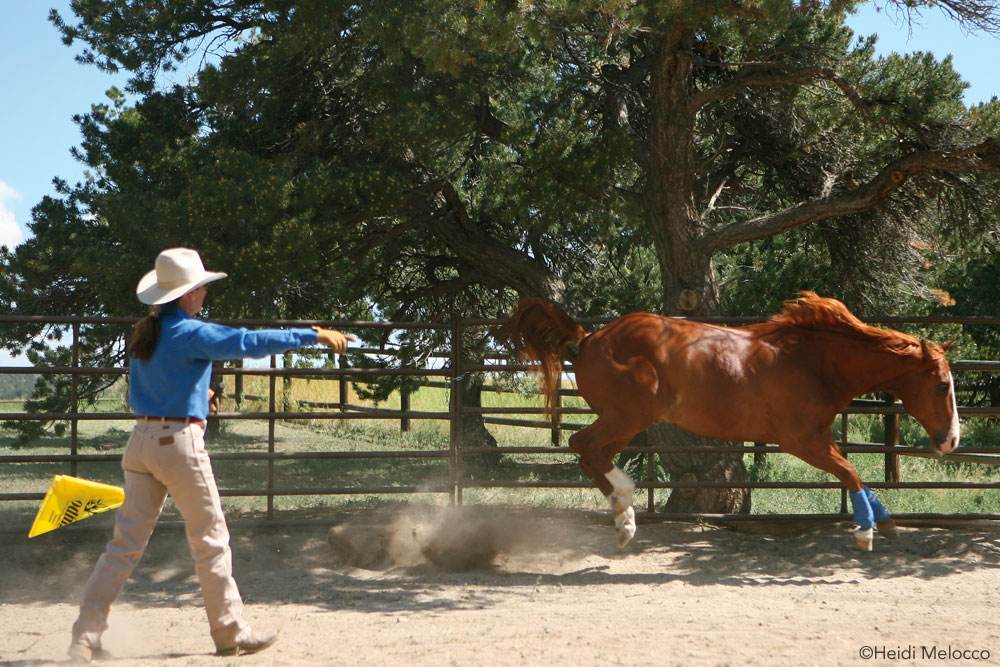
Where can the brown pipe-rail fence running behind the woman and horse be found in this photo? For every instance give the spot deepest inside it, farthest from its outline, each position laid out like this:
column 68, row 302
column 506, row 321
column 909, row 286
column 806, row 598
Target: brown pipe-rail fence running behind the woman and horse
column 453, row 372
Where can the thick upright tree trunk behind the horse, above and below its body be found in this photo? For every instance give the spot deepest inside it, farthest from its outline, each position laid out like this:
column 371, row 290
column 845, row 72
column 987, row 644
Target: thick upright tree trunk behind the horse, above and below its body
column 687, row 270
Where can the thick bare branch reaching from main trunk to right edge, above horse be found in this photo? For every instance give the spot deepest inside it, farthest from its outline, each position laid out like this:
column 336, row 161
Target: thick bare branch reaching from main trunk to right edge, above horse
column 981, row 157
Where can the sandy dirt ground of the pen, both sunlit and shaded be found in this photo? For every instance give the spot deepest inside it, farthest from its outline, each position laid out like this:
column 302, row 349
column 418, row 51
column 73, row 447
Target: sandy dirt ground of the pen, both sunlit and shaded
column 477, row 586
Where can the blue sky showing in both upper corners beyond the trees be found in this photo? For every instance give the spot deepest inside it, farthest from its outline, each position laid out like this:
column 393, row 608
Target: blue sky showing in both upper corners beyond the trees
column 43, row 87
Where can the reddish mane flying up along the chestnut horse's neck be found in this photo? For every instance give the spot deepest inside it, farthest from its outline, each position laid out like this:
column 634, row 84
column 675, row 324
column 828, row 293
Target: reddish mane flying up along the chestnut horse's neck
column 812, row 311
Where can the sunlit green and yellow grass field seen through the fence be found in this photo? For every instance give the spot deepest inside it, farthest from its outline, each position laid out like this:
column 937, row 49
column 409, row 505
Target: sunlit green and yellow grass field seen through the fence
column 384, row 436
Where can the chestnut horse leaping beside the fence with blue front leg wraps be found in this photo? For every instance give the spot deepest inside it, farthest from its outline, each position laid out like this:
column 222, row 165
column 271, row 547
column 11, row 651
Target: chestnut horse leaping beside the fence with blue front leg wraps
column 783, row 381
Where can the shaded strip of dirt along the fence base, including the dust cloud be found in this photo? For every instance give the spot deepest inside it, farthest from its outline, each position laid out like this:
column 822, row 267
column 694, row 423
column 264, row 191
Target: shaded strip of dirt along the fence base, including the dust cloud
column 419, row 558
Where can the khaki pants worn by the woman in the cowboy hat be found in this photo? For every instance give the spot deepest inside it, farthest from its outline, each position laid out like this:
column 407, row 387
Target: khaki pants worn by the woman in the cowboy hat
column 167, row 457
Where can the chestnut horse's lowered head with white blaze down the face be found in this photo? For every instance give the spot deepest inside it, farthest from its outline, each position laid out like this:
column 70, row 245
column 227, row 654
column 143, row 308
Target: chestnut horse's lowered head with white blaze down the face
column 928, row 394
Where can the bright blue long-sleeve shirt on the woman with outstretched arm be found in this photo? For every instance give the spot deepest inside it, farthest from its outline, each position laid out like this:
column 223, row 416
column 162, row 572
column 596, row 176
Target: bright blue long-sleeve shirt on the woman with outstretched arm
column 174, row 381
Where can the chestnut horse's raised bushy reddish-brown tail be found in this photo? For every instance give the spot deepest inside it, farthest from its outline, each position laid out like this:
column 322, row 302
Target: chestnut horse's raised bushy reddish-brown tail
column 542, row 332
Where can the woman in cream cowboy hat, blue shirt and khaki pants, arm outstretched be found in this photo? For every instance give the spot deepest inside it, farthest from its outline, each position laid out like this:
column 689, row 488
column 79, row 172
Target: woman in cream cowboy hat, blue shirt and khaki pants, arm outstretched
column 170, row 365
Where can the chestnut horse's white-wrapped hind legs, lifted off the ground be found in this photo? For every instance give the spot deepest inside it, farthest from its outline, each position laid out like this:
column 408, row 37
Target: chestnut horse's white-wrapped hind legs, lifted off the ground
column 597, row 445
